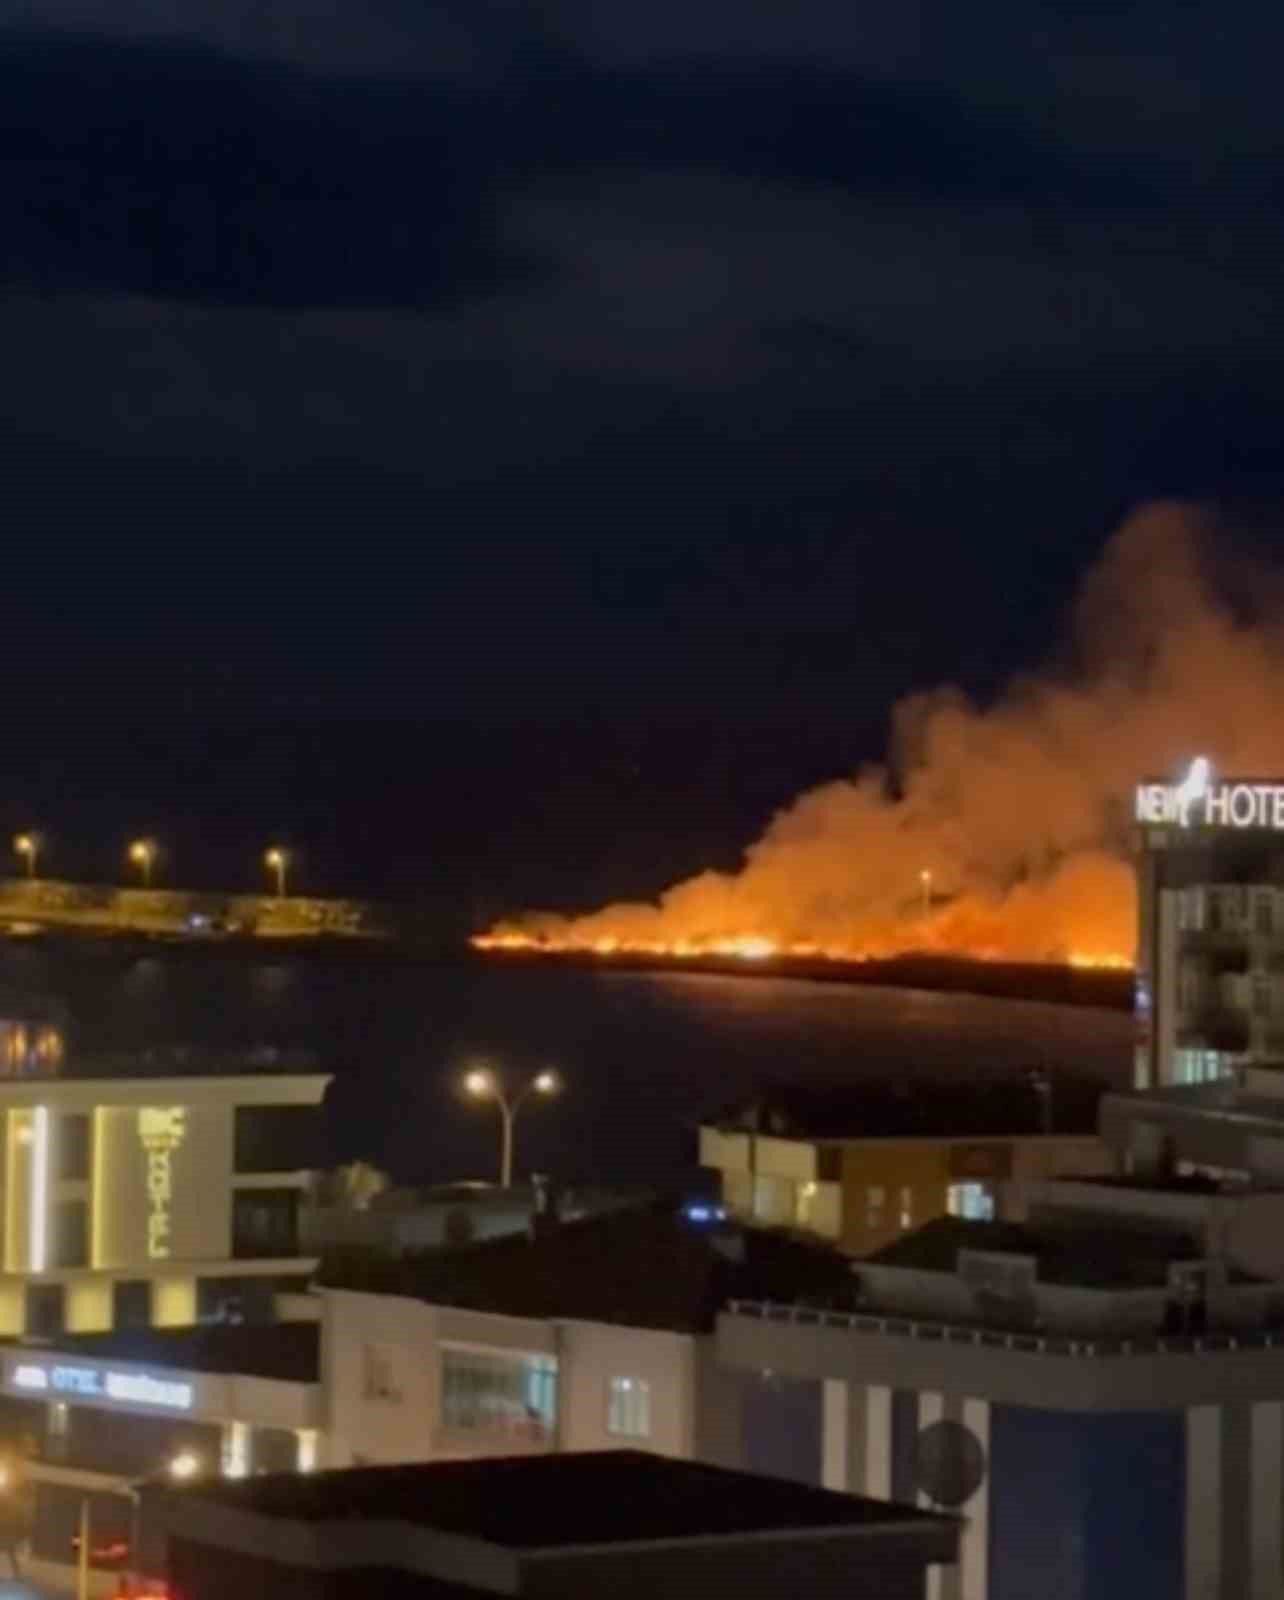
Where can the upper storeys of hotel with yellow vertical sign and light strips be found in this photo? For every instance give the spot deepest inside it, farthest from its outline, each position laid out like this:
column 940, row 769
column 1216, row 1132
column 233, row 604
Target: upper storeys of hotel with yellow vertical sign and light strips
column 158, row 1202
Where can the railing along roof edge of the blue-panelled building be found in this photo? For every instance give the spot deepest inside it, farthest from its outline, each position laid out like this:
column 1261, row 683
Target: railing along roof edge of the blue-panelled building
column 1005, row 1340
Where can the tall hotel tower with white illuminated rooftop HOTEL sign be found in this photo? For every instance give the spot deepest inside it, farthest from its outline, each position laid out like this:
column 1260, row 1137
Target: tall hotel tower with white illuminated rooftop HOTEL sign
column 1211, row 927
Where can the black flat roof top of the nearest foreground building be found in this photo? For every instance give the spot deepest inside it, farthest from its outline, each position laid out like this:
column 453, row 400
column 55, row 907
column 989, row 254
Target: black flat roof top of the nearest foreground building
column 532, row 1503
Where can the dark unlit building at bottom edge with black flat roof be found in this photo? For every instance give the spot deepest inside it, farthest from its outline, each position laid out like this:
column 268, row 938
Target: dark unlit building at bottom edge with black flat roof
column 619, row 1524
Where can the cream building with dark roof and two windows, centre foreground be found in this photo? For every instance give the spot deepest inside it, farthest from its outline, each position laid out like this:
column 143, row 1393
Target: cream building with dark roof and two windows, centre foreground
column 596, row 1335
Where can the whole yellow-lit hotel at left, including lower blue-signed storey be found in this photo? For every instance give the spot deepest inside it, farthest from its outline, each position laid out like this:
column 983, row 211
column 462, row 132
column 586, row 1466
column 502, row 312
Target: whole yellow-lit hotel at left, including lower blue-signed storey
column 148, row 1247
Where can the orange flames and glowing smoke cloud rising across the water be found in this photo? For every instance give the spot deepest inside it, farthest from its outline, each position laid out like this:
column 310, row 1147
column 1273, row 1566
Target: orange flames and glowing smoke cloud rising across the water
column 997, row 833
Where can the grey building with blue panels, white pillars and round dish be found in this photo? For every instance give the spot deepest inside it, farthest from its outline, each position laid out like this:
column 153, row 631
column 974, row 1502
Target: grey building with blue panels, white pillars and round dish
column 1099, row 1393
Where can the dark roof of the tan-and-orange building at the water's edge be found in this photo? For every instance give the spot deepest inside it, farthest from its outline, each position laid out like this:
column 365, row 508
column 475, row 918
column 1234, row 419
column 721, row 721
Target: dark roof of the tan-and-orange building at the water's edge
column 918, row 1110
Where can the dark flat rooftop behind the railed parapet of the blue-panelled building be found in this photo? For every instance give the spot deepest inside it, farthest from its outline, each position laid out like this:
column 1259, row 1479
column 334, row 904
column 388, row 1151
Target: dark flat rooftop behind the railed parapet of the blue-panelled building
column 1107, row 1255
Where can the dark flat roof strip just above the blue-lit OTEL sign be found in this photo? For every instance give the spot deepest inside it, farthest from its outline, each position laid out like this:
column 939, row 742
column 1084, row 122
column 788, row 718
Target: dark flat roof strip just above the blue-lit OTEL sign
column 287, row 1351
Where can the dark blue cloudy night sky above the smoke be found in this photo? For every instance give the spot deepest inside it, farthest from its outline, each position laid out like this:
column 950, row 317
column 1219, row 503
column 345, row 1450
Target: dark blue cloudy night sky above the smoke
column 508, row 449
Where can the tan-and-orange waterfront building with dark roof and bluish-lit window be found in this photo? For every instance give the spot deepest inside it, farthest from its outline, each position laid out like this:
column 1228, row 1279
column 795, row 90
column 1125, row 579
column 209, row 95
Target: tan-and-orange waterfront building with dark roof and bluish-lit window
column 859, row 1167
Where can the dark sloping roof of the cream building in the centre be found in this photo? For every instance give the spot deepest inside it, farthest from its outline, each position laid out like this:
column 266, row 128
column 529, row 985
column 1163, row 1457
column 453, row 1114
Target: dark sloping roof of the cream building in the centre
column 648, row 1268
